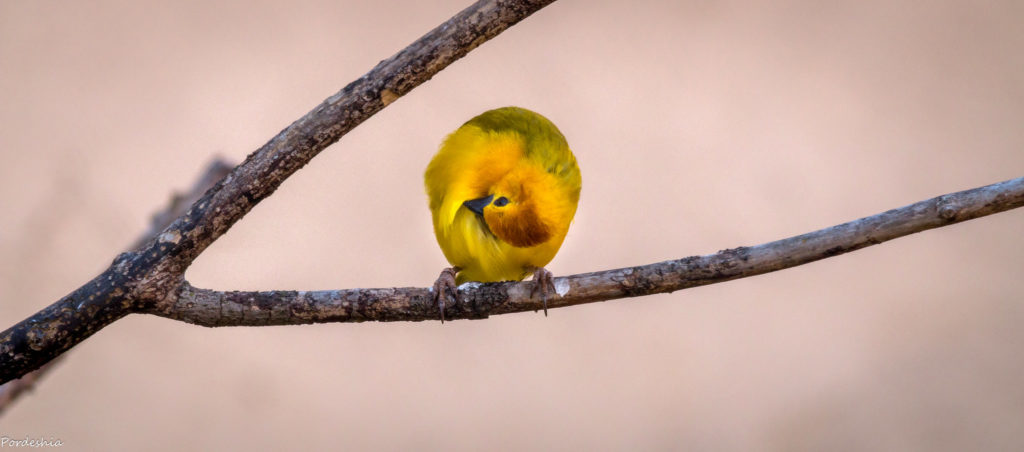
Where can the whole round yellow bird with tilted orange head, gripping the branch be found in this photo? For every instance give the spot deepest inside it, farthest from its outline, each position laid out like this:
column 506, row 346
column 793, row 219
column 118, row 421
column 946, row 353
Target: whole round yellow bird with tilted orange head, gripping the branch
column 503, row 191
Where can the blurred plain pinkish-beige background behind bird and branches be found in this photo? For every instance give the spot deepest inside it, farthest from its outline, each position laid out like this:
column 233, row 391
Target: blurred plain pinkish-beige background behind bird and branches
column 699, row 127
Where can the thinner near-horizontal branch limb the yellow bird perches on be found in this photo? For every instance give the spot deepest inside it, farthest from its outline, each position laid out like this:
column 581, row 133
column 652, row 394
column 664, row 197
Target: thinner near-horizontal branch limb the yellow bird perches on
column 209, row 308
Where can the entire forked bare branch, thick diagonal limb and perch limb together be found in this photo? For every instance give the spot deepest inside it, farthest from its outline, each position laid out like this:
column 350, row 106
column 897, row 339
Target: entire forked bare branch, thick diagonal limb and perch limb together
column 150, row 279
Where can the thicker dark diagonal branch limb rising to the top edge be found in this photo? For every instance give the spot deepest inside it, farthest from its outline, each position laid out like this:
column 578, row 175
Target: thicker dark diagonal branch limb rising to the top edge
column 149, row 277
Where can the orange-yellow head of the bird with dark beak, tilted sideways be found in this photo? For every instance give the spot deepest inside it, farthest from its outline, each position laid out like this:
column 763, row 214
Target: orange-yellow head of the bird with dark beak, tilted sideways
column 518, row 211
